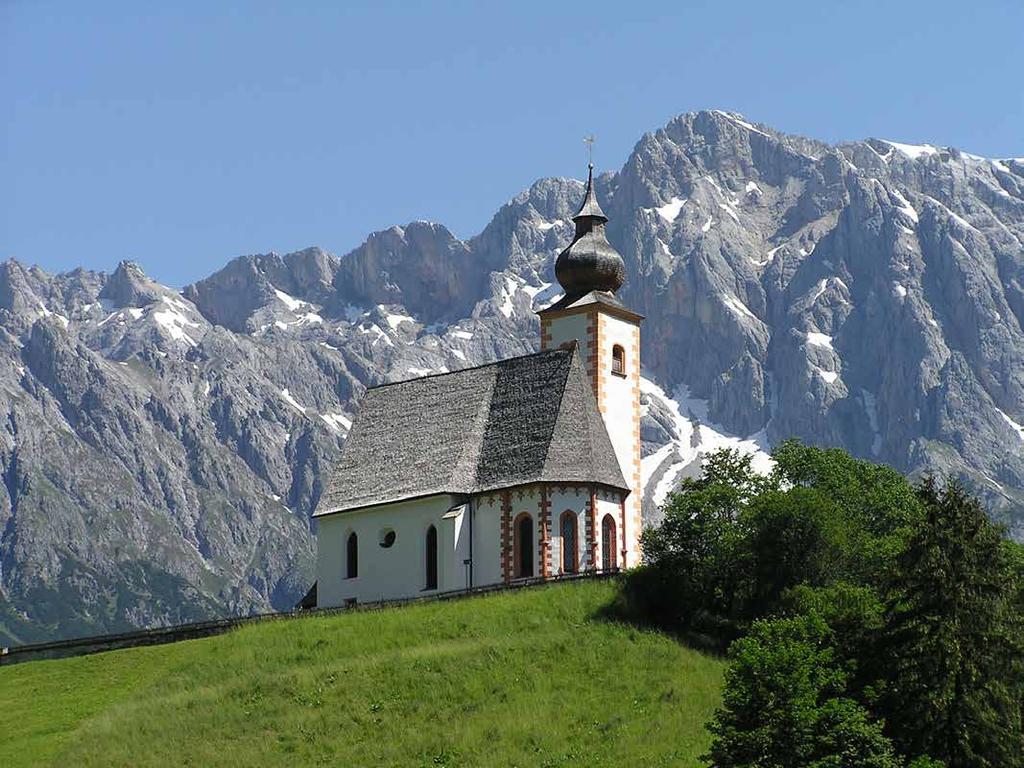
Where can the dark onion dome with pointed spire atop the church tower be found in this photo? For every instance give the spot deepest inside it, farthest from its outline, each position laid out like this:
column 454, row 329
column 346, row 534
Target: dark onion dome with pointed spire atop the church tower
column 590, row 263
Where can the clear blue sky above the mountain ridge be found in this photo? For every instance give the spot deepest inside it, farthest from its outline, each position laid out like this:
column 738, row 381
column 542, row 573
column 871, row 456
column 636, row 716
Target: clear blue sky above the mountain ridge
column 184, row 135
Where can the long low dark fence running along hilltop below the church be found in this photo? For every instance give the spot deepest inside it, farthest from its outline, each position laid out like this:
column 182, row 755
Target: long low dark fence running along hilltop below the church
column 83, row 646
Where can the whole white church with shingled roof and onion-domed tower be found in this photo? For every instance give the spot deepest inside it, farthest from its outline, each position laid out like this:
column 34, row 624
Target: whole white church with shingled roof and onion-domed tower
column 526, row 468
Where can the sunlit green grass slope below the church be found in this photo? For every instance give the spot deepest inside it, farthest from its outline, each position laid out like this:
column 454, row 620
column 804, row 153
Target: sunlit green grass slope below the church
column 527, row 678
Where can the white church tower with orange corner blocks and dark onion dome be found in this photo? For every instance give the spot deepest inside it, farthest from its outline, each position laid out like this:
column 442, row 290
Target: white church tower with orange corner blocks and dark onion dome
column 591, row 272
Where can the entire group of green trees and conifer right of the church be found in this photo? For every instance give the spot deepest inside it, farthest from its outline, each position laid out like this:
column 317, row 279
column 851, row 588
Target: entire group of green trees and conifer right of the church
column 869, row 622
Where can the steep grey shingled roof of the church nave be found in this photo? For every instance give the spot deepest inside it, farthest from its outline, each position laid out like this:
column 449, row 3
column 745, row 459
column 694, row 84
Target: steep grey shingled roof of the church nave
column 518, row 421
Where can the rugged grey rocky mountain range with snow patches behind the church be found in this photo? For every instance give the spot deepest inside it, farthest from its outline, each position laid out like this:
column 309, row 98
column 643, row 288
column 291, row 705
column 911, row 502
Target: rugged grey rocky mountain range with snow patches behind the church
column 161, row 451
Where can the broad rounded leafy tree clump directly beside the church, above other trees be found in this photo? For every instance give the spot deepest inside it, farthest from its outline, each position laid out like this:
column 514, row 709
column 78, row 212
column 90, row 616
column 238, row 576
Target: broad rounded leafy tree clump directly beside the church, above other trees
column 734, row 542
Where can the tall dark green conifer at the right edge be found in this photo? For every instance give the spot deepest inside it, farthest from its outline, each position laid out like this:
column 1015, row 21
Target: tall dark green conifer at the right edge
column 952, row 650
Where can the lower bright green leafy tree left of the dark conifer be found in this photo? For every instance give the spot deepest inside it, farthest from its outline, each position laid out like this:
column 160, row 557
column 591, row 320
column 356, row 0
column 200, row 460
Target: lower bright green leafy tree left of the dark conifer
column 785, row 705
